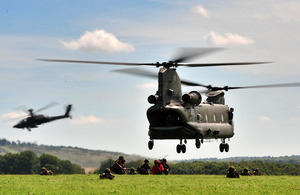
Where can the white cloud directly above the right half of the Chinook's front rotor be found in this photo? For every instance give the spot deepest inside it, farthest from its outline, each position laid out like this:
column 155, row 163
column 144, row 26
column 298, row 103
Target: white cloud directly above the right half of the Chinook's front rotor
column 228, row 39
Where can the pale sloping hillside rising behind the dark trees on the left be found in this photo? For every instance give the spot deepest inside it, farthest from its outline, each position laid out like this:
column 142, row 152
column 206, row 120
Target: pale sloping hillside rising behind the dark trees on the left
column 88, row 159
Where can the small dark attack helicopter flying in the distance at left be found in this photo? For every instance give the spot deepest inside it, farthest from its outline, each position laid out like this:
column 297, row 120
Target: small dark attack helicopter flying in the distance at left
column 33, row 120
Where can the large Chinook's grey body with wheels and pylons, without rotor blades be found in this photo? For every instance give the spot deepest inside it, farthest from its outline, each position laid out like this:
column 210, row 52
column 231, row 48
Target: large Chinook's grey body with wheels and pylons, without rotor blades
column 174, row 116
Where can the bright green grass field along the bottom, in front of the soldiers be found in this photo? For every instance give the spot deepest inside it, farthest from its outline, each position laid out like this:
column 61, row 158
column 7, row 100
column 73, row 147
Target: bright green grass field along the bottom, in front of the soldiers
column 149, row 184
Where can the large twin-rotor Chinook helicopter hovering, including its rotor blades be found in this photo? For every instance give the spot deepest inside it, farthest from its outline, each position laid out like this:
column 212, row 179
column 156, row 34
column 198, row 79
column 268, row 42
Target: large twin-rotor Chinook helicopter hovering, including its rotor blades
column 182, row 117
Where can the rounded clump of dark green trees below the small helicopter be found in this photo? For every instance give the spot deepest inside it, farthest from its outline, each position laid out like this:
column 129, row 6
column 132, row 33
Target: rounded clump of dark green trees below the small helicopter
column 27, row 162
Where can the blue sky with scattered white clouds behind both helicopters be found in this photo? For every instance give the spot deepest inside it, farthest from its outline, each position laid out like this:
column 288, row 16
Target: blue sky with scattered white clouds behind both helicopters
column 110, row 108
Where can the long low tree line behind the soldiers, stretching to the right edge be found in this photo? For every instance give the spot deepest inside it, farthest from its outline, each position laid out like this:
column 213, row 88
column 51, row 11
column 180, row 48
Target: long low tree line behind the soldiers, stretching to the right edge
column 217, row 168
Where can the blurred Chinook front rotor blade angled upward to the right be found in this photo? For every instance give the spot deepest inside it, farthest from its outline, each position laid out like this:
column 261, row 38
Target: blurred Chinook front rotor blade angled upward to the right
column 184, row 54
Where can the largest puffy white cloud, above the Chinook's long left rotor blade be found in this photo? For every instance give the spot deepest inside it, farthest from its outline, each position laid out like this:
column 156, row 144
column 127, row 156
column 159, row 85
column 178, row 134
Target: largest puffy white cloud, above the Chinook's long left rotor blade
column 98, row 41
